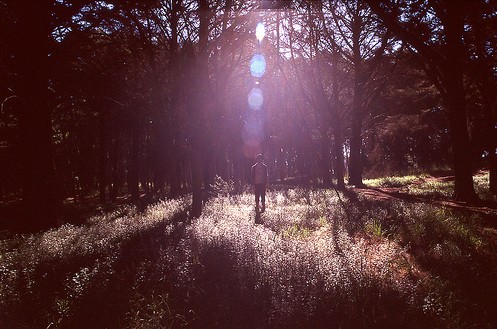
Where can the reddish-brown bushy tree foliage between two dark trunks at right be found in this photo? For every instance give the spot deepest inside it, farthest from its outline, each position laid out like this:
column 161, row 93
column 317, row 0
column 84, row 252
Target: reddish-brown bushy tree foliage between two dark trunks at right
column 411, row 134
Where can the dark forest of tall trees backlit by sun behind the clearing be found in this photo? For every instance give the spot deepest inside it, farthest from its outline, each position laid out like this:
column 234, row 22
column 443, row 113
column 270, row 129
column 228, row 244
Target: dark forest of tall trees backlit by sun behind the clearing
column 111, row 98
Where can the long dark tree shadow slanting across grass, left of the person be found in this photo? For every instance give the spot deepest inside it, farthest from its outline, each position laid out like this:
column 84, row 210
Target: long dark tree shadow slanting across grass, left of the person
column 136, row 277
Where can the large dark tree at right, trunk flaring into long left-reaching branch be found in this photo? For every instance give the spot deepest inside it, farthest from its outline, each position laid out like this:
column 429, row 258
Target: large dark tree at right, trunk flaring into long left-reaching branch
column 435, row 31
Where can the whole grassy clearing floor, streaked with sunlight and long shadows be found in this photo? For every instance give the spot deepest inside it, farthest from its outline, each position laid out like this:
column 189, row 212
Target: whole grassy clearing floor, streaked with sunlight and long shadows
column 312, row 260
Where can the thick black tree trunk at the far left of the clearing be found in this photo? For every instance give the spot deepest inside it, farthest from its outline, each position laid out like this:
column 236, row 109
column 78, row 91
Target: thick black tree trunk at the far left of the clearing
column 30, row 51
